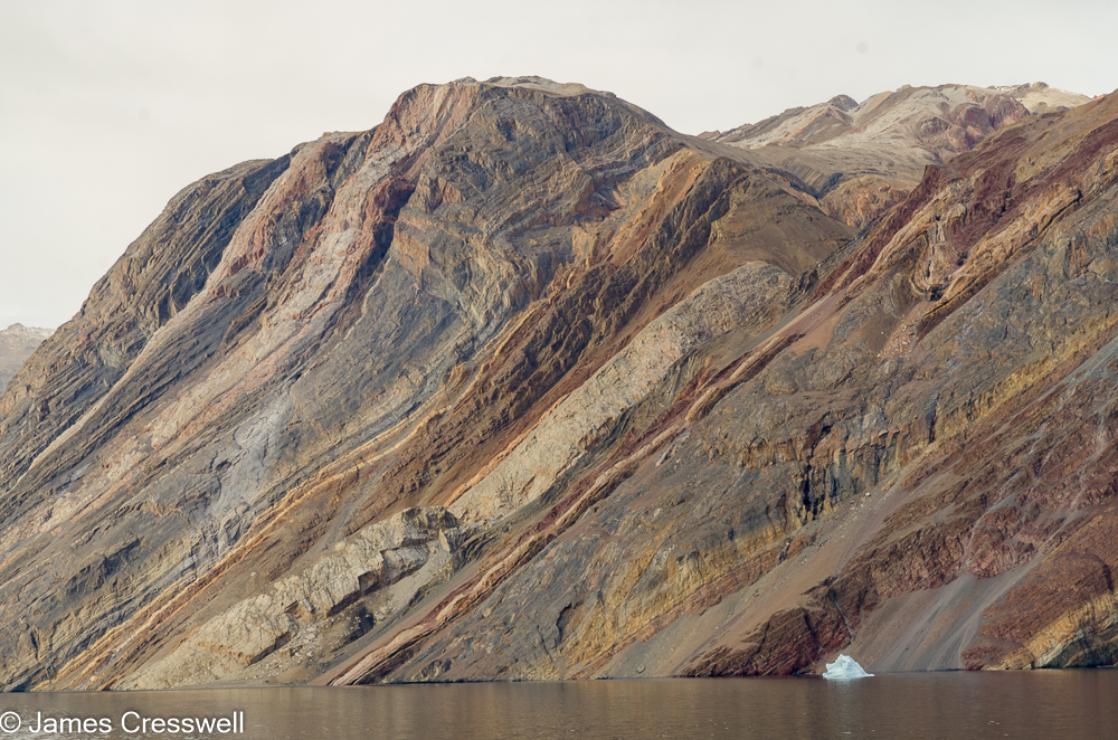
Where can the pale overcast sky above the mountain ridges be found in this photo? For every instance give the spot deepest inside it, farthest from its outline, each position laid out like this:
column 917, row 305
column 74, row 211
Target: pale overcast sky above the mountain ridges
column 108, row 109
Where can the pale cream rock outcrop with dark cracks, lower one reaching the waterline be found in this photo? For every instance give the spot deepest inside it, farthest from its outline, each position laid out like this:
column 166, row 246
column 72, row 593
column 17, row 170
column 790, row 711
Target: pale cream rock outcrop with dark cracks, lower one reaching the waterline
column 364, row 581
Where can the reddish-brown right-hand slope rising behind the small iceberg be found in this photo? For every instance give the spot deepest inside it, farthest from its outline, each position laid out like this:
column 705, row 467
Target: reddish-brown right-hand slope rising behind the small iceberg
column 878, row 460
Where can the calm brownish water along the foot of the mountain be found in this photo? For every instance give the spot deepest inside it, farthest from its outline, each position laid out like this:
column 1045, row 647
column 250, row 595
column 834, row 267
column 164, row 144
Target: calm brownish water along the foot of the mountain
column 1041, row 705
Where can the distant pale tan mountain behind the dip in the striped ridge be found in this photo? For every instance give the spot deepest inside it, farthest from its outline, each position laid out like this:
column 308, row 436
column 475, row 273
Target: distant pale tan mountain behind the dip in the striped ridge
column 859, row 159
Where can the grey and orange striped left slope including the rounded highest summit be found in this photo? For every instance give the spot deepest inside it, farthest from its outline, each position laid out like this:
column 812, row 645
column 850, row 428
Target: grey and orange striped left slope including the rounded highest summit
column 478, row 233
